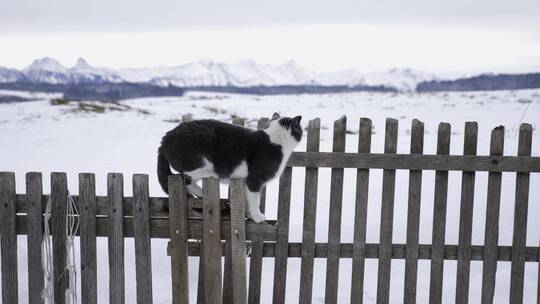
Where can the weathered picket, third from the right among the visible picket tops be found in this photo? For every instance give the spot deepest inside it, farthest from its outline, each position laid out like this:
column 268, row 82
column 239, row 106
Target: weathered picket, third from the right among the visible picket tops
column 466, row 217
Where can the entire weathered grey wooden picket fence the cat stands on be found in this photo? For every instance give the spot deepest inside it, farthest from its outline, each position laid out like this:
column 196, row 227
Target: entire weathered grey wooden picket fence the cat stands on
column 185, row 220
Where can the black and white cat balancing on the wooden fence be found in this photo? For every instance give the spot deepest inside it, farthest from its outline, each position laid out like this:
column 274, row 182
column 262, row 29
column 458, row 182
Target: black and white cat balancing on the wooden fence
column 210, row 148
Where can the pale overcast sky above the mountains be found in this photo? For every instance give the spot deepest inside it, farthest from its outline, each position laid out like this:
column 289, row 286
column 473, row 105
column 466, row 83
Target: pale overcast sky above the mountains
column 439, row 36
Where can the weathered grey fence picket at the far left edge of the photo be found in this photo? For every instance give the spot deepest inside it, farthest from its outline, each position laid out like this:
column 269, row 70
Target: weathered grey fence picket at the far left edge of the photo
column 8, row 239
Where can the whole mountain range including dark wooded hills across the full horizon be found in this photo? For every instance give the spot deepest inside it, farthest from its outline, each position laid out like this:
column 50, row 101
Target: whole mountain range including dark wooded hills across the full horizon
column 248, row 76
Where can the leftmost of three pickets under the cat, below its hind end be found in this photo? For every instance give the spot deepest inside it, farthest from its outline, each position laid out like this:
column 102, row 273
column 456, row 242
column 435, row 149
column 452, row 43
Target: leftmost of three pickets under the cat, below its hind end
column 179, row 240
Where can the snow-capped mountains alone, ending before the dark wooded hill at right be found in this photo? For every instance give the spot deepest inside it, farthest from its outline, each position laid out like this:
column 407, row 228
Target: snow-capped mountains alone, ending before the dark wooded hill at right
column 209, row 73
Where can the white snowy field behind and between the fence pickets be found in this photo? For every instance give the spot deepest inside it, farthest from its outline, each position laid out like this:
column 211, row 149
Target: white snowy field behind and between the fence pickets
column 72, row 138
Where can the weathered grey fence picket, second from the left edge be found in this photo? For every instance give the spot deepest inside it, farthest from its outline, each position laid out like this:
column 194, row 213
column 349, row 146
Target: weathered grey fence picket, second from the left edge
column 34, row 196
